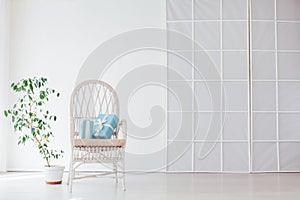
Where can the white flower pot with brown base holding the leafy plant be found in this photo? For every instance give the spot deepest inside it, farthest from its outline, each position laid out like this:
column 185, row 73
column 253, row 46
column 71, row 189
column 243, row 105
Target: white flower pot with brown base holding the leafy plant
column 54, row 174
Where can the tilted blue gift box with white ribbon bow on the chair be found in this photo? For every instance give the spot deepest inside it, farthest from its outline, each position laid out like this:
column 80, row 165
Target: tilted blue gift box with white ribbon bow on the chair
column 104, row 126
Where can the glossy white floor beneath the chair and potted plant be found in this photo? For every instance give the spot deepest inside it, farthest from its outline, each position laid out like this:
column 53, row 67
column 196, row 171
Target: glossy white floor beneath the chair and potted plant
column 154, row 186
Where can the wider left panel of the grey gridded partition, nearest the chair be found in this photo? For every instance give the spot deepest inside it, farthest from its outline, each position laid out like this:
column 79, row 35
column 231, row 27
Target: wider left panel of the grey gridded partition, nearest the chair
column 212, row 122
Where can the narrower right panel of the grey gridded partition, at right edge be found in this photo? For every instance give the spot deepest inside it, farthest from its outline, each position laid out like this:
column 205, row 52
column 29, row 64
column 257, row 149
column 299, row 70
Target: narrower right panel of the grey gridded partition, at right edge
column 276, row 85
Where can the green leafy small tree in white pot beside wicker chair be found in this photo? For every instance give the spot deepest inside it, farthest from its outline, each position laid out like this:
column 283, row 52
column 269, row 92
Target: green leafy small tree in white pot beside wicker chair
column 31, row 120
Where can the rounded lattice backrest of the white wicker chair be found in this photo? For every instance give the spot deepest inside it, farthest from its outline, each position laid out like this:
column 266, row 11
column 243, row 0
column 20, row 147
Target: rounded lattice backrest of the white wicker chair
column 89, row 99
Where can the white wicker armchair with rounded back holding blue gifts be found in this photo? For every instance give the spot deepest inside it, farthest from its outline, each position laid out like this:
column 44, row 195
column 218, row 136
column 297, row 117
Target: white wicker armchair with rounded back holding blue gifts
column 89, row 99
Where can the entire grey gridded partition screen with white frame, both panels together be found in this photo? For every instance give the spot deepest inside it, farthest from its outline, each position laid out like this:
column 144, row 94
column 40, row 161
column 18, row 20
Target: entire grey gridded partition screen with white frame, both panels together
column 213, row 123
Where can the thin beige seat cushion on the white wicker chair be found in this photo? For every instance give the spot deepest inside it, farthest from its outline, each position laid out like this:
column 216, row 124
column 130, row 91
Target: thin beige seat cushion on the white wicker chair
column 99, row 142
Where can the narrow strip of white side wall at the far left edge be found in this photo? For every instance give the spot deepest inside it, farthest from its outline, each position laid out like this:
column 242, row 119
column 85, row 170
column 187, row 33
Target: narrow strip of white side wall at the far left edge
column 4, row 60
